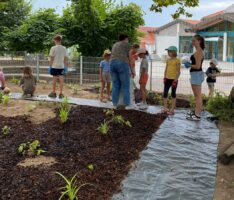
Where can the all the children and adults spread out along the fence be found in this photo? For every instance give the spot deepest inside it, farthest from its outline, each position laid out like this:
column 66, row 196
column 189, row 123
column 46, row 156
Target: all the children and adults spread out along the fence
column 118, row 70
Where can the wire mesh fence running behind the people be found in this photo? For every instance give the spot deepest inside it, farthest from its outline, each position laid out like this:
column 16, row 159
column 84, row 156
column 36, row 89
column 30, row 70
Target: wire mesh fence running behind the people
column 85, row 70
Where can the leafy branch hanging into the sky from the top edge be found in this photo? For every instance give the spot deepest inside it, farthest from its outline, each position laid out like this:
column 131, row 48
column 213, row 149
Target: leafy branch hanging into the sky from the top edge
column 183, row 4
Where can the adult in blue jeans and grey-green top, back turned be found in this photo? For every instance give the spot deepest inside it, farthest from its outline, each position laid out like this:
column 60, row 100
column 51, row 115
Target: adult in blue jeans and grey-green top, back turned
column 120, row 70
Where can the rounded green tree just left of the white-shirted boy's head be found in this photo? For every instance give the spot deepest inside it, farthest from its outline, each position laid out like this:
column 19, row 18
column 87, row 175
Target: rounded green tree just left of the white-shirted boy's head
column 35, row 34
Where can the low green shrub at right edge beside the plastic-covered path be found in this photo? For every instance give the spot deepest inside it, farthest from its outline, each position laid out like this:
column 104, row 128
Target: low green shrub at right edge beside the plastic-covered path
column 222, row 107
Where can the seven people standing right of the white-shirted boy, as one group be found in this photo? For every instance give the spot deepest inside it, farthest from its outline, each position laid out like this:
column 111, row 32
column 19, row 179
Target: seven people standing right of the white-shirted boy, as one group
column 118, row 67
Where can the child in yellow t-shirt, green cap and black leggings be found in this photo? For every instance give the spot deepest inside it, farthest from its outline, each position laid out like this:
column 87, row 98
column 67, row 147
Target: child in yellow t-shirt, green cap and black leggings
column 171, row 76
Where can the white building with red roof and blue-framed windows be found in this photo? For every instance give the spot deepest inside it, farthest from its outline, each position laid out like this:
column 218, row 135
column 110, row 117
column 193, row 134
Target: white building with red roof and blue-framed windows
column 216, row 28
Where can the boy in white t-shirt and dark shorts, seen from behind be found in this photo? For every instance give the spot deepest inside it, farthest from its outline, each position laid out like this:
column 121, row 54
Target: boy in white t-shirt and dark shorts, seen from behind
column 58, row 62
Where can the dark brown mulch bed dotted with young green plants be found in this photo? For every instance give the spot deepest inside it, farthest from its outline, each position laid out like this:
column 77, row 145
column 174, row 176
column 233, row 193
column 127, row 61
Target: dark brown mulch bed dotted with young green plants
column 74, row 145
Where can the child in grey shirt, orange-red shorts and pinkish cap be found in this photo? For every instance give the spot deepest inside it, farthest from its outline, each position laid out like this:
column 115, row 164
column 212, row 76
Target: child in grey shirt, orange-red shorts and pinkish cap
column 142, row 53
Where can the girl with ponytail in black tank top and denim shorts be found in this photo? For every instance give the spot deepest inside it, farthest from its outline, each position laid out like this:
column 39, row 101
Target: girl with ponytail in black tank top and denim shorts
column 197, row 76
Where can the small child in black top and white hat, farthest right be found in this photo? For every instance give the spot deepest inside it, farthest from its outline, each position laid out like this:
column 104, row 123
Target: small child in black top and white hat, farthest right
column 211, row 73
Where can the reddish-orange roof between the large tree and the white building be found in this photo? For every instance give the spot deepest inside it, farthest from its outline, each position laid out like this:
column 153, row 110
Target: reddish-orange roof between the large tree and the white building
column 149, row 37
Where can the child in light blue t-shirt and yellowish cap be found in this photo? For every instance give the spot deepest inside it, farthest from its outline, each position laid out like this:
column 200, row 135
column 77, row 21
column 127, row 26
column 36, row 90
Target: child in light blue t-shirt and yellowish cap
column 104, row 74
